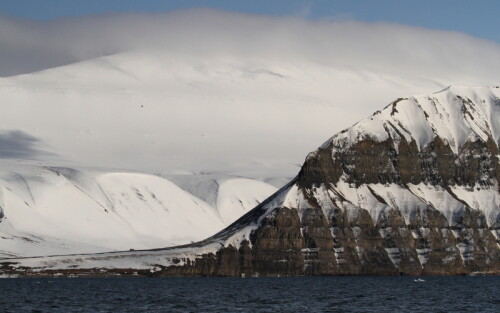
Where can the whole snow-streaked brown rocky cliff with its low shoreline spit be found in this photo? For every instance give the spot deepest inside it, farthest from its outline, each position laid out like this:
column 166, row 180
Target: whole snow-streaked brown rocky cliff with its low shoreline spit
column 411, row 190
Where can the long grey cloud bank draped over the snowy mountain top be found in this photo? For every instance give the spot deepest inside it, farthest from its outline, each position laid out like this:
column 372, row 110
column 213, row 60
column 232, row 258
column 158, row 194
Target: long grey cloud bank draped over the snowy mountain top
column 27, row 46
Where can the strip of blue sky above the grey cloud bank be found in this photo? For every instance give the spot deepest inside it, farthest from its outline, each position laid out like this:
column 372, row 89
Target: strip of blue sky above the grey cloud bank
column 477, row 18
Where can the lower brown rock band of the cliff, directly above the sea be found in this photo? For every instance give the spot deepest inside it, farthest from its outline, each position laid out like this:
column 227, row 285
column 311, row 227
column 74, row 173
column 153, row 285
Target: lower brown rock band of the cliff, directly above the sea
column 285, row 246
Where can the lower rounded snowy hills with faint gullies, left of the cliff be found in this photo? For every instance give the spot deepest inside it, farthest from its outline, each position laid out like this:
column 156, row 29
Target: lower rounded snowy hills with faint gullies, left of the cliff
column 55, row 210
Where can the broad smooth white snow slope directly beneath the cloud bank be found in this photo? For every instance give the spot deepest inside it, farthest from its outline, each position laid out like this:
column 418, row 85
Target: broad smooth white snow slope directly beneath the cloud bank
column 161, row 113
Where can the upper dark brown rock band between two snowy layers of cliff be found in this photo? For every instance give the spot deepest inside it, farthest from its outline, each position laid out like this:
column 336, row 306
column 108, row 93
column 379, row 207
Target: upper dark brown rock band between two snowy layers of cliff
column 371, row 162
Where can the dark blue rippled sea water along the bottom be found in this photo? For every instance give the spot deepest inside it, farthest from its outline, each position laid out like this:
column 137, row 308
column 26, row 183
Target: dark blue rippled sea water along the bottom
column 309, row 294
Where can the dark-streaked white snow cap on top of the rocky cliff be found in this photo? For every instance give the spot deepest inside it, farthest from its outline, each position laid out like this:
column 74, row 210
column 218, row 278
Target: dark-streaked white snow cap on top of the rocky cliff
column 455, row 114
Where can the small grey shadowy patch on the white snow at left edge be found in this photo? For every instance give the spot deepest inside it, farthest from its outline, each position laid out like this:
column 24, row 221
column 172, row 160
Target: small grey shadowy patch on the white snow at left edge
column 16, row 144
